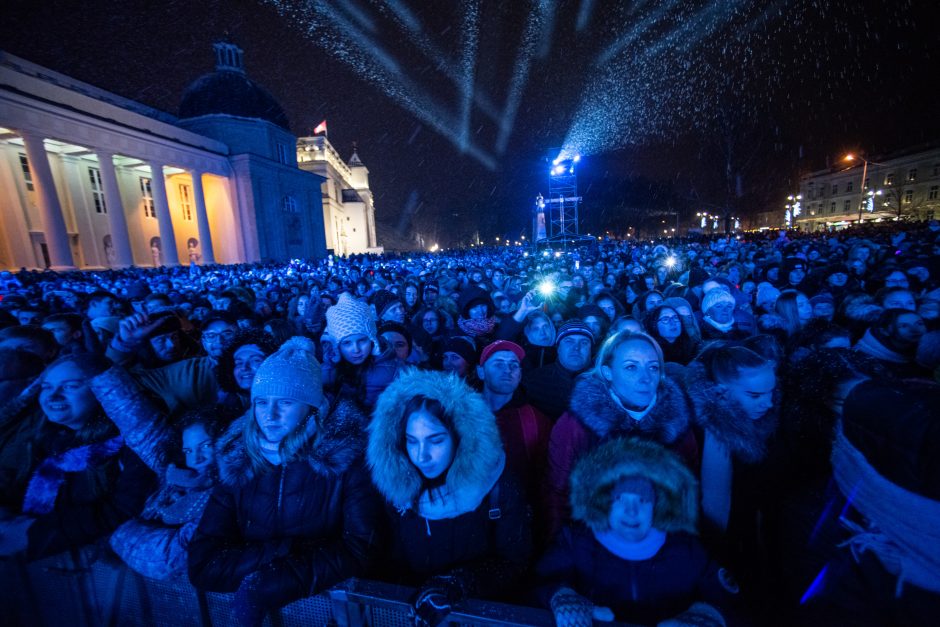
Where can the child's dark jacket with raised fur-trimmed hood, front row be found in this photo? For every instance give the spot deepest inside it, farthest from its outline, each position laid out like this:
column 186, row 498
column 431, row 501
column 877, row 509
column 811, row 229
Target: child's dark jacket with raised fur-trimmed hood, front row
column 644, row 590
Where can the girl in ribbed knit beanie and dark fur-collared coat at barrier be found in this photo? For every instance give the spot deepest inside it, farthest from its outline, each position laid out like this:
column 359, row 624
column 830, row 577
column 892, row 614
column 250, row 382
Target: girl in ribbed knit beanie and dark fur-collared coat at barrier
column 296, row 512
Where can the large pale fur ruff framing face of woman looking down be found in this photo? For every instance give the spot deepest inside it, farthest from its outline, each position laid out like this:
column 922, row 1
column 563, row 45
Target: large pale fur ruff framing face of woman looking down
column 479, row 458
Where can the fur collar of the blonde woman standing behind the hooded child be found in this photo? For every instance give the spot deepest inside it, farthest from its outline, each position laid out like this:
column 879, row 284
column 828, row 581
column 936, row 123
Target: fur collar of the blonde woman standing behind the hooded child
column 594, row 406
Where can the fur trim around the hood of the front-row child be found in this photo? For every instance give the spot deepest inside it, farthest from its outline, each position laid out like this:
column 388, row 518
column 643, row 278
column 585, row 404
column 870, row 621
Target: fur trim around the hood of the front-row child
column 675, row 485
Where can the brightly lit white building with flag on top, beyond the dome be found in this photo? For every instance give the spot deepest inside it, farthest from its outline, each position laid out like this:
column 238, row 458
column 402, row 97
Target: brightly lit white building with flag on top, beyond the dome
column 348, row 211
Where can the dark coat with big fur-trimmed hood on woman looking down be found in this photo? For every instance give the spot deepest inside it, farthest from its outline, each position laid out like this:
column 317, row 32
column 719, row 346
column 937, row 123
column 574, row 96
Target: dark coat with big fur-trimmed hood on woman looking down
column 474, row 532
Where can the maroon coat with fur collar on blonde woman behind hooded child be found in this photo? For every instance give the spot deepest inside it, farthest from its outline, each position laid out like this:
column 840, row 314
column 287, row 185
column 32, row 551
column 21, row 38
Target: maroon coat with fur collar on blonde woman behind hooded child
column 595, row 416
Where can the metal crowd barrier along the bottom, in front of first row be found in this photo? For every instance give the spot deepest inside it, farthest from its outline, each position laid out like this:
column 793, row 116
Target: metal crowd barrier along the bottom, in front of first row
column 93, row 588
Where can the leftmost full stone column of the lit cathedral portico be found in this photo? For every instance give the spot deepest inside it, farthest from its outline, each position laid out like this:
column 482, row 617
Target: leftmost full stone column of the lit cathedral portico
column 50, row 210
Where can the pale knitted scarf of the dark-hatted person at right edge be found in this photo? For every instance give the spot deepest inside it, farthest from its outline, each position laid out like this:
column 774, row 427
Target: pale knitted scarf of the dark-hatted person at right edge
column 904, row 527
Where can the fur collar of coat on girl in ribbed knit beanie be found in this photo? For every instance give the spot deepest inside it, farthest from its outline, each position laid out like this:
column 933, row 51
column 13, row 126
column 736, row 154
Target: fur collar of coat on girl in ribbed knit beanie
column 338, row 442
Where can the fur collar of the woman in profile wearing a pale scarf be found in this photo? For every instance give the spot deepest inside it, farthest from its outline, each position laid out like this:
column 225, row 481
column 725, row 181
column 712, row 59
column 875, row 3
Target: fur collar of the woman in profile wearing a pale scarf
column 717, row 413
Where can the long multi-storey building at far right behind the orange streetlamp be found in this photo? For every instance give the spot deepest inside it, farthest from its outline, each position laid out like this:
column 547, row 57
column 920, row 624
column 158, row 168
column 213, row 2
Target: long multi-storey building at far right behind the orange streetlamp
column 904, row 185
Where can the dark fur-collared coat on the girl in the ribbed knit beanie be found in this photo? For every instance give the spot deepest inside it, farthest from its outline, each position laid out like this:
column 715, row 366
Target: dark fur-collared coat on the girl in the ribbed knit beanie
column 297, row 528
